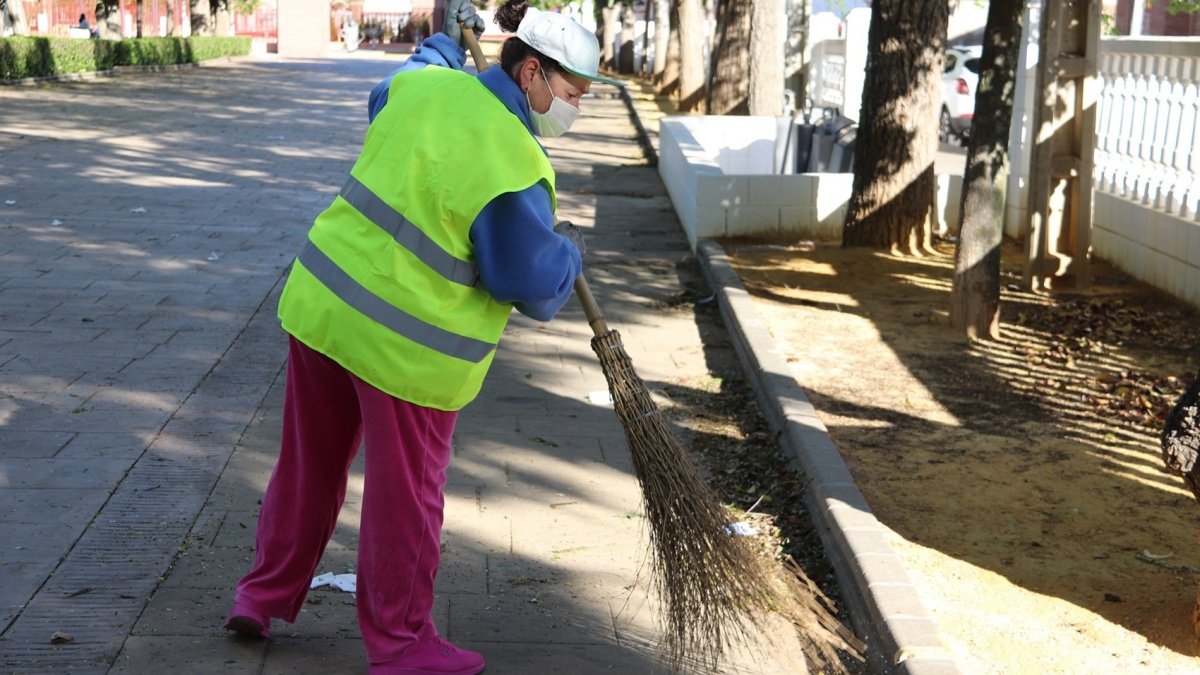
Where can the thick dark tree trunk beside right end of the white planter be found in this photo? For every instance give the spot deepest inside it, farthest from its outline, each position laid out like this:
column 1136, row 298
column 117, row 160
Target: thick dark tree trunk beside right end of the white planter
column 892, row 206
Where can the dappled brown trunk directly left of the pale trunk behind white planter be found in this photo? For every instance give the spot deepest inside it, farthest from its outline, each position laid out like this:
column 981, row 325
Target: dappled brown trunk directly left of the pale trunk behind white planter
column 730, row 88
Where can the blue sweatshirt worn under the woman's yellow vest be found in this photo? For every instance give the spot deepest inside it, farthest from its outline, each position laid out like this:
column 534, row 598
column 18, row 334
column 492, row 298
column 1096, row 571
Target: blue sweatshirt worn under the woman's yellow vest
column 520, row 258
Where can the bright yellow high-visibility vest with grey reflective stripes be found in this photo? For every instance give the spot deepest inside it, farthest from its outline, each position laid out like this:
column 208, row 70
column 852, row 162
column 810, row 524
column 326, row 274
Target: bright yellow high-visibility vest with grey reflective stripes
column 387, row 284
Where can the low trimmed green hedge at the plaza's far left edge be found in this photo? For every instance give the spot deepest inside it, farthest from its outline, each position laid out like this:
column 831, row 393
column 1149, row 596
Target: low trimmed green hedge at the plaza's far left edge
column 46, row 57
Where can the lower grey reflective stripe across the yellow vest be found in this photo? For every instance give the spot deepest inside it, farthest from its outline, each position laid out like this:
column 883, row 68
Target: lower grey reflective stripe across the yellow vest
column 380, row 310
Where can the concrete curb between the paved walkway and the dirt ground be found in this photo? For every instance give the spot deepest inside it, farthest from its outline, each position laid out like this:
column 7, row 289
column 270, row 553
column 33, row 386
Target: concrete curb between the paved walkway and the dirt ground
column 884, row 605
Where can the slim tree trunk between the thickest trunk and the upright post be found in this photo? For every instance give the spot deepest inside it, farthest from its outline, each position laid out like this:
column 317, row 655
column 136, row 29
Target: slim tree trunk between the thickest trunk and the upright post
column 975, row 307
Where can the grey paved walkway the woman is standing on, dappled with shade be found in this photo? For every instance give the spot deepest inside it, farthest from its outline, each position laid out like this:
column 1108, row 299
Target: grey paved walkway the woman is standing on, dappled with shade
column 141, row 385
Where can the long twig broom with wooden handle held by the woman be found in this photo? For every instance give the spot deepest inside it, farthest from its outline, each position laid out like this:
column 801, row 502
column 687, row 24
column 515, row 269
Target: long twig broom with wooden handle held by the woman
column 715, row 587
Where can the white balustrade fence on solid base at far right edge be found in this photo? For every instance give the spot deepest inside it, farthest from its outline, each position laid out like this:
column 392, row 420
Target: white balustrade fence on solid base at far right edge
column 1147, row 216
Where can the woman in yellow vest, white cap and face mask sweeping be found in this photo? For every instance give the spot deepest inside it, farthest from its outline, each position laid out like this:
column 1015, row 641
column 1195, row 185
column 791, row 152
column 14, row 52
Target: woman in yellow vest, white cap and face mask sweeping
column 394, row 309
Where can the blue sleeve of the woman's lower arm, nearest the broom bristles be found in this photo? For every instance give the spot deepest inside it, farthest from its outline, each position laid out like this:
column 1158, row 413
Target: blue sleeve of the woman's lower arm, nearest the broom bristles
column 521, row 259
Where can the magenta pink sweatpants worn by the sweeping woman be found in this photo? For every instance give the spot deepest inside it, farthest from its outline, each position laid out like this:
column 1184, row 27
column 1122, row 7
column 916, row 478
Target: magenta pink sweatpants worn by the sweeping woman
column 327, row 413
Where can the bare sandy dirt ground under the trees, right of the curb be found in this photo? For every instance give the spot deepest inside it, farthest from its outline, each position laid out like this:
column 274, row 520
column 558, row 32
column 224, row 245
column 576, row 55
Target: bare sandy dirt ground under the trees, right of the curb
column 1023, row 479
